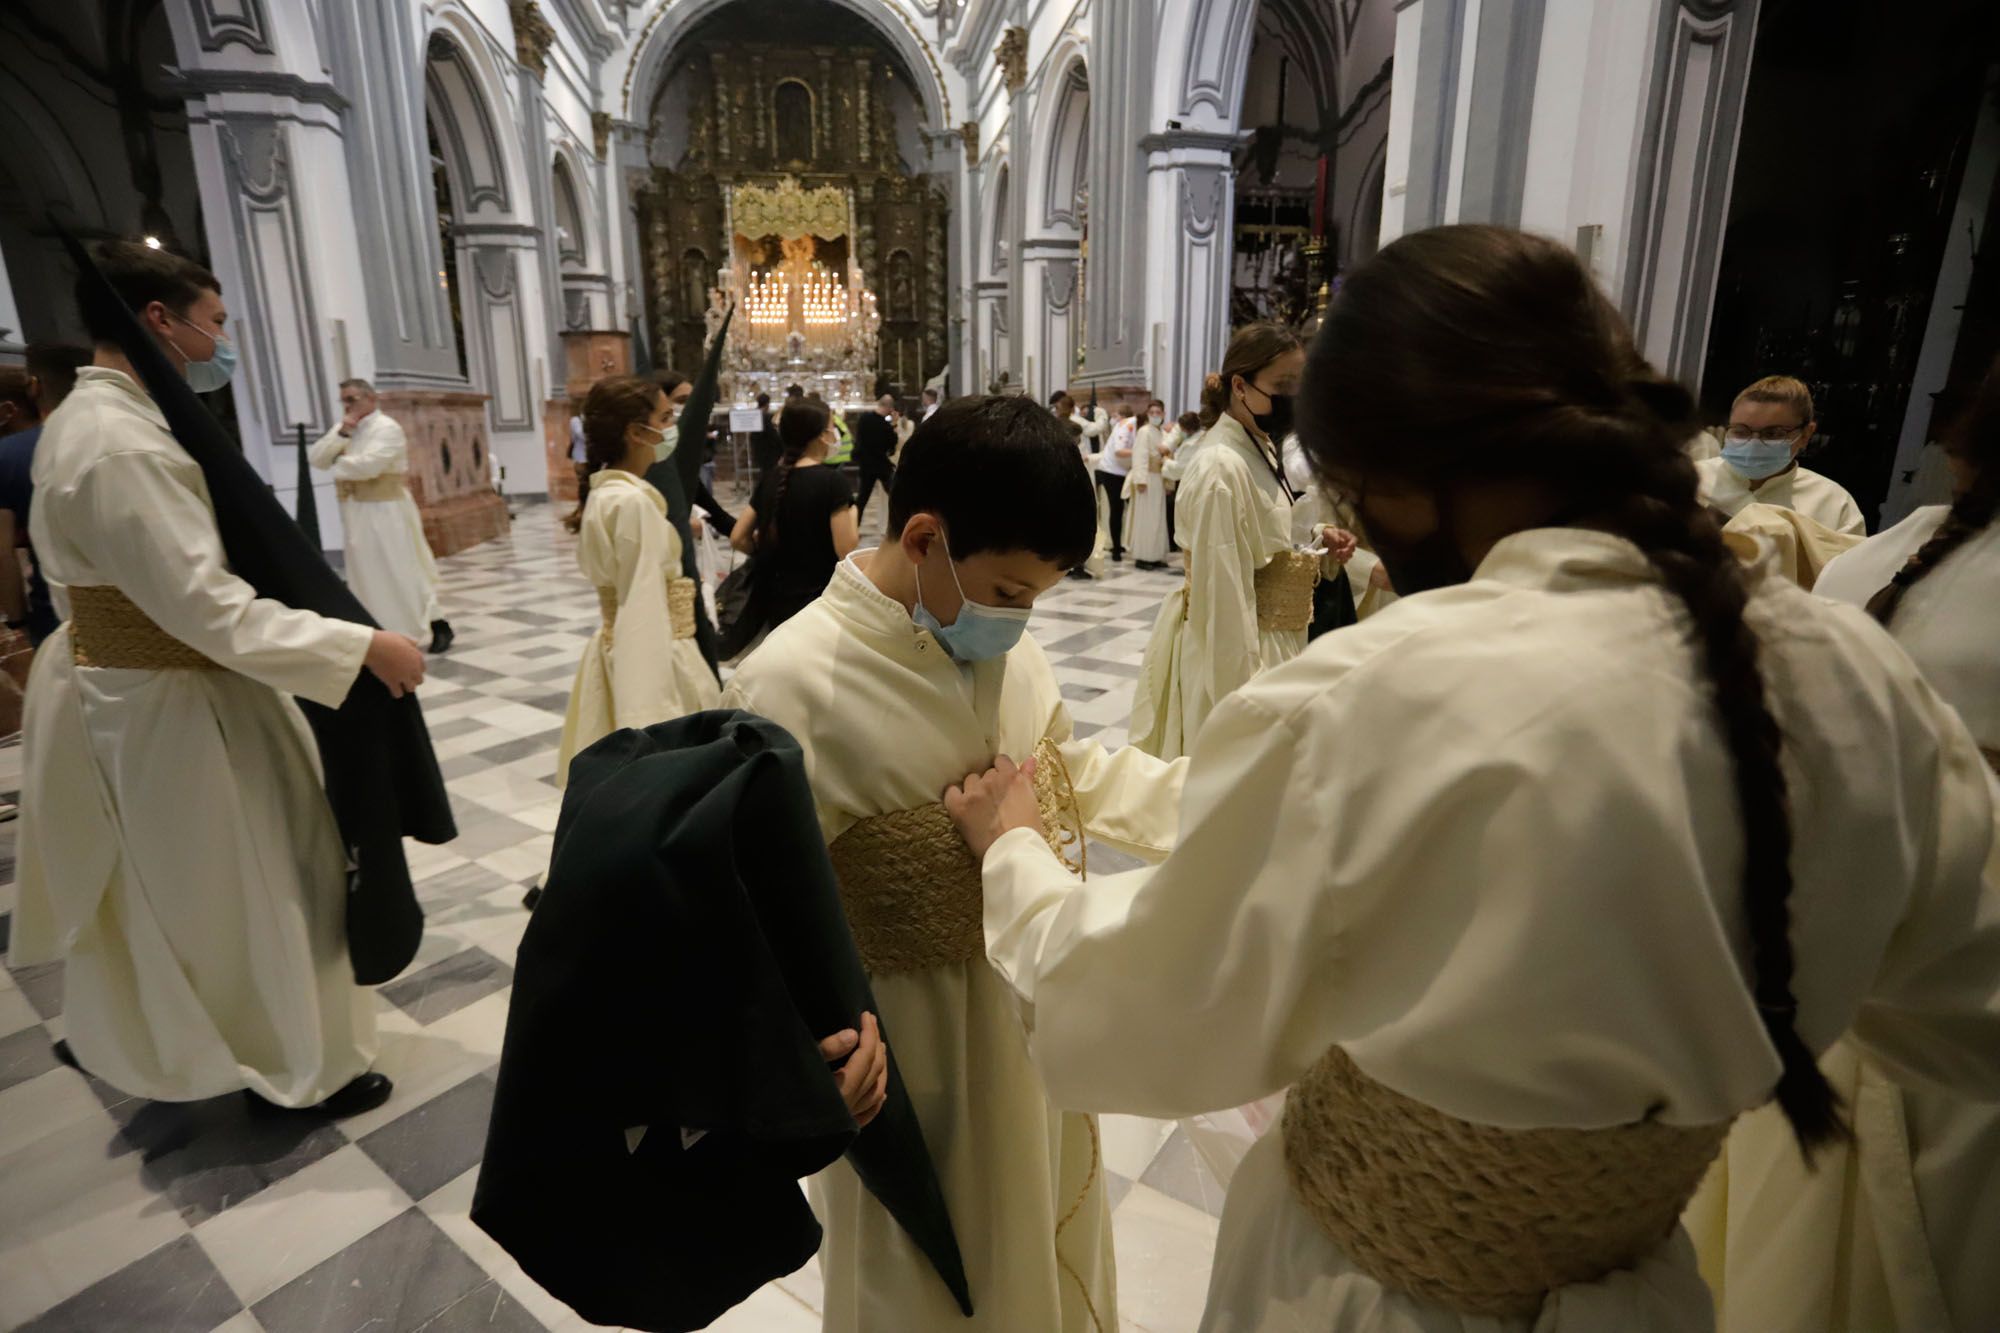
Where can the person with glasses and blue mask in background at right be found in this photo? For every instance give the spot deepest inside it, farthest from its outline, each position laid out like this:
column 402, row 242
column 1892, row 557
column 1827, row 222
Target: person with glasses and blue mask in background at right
column 1771, row 425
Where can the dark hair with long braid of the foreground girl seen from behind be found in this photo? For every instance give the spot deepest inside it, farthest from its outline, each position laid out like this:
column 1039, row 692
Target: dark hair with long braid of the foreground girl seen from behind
column 1479, row 353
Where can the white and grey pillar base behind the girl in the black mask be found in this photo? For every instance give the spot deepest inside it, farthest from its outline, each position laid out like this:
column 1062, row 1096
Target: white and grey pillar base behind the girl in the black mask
column 1191, row 215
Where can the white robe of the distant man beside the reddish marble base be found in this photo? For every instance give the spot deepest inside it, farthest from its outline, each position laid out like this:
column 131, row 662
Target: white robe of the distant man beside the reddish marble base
column 387, row 555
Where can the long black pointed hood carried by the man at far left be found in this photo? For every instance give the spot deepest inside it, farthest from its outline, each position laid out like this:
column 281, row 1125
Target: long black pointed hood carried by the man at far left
column 381, row 774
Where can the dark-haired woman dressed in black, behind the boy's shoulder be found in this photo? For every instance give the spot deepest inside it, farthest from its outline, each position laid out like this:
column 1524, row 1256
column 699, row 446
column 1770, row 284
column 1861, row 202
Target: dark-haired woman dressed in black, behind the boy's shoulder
column 801, row 523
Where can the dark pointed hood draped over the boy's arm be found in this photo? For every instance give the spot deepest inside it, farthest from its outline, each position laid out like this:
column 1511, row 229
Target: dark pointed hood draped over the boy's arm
column 661, row 1084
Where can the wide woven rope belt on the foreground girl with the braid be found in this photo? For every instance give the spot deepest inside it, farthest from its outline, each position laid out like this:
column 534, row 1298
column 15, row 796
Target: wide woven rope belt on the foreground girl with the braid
column 1481, row 1220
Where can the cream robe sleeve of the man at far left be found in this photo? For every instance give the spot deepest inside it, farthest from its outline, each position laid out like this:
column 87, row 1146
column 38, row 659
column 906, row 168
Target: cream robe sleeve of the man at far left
column 163, row 551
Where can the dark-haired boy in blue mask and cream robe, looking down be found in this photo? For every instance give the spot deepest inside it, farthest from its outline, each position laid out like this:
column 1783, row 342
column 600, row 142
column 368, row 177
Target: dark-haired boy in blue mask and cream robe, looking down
column 909, row 674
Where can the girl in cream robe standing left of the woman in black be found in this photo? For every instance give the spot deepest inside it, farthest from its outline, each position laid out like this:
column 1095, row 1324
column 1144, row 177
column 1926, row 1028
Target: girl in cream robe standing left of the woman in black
column 641, row 665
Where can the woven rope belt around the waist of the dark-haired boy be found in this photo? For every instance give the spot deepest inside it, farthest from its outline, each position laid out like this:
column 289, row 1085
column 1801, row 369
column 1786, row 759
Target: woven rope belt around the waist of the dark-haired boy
column 913, row 890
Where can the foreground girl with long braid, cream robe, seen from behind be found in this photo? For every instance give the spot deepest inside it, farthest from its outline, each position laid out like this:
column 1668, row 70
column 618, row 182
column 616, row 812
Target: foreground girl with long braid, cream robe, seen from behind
column 1535, row 882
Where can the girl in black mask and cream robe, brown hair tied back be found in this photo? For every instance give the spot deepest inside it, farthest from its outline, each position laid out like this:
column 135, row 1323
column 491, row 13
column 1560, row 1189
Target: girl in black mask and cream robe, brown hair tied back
column 1233, row 519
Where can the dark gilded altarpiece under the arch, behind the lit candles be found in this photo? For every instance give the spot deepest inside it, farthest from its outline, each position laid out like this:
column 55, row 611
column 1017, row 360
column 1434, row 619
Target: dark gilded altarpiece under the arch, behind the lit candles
column 795, row 119
